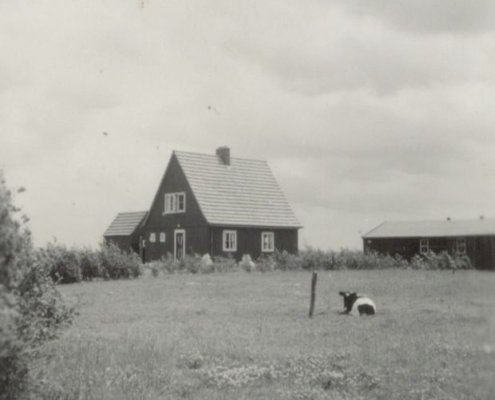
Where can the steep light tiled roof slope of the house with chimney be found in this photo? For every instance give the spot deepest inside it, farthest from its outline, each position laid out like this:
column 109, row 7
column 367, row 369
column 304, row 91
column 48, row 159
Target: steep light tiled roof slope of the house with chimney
column 244, row 193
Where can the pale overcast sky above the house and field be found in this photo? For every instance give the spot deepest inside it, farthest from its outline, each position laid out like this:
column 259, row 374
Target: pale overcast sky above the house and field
column 365, row 110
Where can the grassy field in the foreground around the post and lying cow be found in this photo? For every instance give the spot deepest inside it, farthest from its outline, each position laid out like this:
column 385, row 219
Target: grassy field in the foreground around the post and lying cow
column 248, row 336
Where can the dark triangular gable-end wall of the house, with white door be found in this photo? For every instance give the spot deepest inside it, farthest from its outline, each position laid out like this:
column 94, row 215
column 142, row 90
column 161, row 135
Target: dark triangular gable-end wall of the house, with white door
column 192, row 220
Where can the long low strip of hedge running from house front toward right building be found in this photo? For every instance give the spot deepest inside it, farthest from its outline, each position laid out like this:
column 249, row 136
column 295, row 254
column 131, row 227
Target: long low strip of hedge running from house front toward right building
column 308, row 259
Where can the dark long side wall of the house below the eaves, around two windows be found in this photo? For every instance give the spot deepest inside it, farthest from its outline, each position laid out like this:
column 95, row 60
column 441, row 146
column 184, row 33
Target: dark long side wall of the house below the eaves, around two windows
column 249, row 241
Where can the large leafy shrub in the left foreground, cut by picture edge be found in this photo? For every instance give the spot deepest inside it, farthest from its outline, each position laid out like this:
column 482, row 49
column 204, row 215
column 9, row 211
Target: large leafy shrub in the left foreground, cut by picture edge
column 31, row 310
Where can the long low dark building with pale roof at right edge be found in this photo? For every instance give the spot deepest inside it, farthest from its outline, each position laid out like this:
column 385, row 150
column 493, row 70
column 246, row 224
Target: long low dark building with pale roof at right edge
column 474, row 238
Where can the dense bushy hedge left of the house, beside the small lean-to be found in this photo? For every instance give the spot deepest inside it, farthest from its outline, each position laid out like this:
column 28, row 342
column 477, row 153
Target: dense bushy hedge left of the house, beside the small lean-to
column 70, row 265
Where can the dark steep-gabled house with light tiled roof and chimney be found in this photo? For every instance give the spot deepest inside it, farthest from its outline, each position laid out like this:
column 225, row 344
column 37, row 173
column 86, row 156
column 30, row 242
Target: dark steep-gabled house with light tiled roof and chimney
column 220, row 205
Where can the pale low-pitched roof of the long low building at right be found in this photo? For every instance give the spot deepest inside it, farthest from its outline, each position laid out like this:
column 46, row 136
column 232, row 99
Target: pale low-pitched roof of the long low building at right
column 440, row 228
